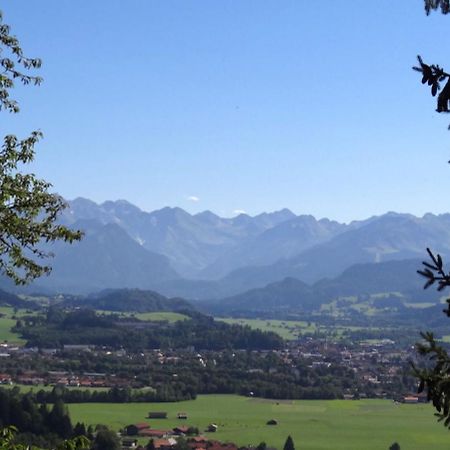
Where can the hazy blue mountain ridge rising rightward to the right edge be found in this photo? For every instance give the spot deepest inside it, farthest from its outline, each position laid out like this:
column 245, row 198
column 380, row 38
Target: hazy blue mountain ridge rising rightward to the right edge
column 384, row 238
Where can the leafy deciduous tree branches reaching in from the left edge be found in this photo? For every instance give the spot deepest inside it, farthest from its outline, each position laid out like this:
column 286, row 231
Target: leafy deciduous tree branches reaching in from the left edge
column 28, row 210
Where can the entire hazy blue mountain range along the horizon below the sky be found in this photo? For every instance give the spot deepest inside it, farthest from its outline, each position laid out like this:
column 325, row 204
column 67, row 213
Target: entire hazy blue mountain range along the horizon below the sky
column 204, row 256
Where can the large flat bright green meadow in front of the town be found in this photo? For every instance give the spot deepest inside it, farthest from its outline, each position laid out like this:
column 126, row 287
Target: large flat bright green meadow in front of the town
column 313, row 424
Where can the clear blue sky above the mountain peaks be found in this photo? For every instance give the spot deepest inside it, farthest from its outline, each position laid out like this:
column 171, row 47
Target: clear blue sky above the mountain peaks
column 237, row 105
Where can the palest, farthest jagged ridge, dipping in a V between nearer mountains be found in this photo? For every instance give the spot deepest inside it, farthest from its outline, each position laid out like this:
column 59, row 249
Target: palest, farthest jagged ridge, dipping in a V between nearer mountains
column 191, row 242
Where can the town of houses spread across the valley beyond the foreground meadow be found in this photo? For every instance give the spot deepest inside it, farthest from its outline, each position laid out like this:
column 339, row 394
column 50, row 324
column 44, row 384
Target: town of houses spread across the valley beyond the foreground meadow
column 376, row 365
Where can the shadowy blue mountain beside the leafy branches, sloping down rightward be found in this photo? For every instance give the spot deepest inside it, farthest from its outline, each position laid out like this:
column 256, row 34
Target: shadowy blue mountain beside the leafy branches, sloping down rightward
column 106, row 257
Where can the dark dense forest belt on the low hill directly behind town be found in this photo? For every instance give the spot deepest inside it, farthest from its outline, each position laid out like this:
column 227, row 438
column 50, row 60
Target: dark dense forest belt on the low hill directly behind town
column 60, row 327
